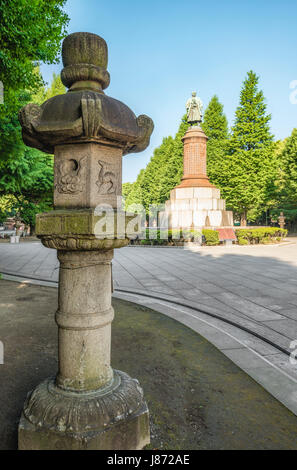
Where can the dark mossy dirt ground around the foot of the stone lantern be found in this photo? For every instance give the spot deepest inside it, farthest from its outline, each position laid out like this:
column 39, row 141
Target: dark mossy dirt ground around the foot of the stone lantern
column 198, row 399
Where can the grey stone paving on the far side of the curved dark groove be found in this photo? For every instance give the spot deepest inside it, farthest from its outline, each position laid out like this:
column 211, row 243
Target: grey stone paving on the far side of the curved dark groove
column 255, row 287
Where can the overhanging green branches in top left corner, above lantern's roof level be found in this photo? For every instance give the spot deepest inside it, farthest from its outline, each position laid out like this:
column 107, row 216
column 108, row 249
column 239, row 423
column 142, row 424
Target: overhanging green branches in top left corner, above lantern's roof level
column 30, row 32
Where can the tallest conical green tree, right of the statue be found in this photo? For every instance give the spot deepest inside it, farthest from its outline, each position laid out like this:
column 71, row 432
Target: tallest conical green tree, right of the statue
column 250, row 165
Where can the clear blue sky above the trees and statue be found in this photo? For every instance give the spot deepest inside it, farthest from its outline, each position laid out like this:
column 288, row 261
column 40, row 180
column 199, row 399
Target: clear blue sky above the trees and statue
column 162, row 50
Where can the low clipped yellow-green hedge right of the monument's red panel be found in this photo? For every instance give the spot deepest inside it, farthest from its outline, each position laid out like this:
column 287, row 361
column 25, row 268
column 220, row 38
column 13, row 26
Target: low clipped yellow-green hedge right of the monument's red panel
column 260, row 235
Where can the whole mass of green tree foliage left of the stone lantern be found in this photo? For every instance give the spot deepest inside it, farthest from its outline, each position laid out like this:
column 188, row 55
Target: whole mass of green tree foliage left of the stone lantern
column 30, row 32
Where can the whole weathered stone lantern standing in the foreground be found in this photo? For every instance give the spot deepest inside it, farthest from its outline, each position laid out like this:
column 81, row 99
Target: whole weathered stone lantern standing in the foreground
column 88, row 405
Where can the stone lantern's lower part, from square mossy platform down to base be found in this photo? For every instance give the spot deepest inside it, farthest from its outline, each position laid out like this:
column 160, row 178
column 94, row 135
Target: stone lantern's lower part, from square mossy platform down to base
column 88, row 405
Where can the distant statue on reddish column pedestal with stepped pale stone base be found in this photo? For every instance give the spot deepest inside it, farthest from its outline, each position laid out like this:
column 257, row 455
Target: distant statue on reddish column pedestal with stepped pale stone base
column 195, row 203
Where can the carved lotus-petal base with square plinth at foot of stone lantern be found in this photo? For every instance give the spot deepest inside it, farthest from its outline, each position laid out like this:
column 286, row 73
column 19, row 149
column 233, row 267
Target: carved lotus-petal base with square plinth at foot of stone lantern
column 114, row 417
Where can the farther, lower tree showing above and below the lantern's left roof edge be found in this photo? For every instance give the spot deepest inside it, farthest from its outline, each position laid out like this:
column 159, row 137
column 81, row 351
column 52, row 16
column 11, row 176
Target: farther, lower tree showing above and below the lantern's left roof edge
column 26, row 174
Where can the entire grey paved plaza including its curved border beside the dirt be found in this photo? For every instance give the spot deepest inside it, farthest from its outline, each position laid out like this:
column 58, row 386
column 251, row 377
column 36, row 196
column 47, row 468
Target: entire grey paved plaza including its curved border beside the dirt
column 242, row 299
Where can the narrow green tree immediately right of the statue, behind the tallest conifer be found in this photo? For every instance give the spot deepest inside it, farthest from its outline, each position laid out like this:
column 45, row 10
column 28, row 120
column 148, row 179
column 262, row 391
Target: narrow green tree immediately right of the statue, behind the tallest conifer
column 215, row 126
